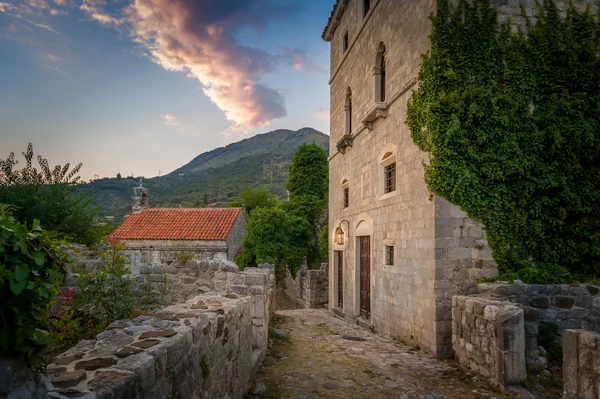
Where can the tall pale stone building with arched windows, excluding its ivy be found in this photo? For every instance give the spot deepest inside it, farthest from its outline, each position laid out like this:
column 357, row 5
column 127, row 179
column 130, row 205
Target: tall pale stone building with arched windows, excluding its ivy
column 398, row 254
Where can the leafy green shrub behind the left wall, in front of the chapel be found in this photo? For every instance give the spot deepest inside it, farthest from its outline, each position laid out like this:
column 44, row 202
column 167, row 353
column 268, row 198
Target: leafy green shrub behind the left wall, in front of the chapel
column 106, row 290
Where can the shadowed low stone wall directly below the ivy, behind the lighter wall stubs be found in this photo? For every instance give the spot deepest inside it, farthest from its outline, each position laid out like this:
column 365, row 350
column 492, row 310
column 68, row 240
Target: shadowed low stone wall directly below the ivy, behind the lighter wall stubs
column 561, row 305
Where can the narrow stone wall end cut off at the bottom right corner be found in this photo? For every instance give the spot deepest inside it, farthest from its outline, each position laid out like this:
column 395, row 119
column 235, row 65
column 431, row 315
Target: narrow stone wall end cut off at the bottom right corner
column 581, row 371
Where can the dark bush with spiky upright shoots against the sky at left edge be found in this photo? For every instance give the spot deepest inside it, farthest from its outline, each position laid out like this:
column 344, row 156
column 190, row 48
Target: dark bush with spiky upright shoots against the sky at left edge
column 51, row 196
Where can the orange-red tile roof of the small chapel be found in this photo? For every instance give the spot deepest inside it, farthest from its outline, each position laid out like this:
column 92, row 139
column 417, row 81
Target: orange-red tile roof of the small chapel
column 203, row 224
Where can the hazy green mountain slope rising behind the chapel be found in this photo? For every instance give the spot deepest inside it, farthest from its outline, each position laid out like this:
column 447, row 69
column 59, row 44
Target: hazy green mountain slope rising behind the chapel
column 220, row 174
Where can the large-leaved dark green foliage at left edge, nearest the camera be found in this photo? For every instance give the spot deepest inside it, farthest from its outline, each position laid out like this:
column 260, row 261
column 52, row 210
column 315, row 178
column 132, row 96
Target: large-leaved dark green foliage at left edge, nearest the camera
column 32, row 266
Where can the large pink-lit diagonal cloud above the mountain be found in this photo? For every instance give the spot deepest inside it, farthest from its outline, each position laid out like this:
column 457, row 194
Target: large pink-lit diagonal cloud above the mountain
column 197, row 37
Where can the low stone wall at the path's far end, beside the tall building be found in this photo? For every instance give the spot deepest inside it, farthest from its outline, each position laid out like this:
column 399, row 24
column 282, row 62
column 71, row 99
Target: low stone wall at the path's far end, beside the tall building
column 309, row 290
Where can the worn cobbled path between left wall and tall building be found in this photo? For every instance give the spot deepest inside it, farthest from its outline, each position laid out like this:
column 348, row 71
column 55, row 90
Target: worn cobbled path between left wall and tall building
column 321, row 356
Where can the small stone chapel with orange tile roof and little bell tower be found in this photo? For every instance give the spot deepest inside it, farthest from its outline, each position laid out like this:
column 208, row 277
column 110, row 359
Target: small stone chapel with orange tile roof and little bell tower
column 157, row 235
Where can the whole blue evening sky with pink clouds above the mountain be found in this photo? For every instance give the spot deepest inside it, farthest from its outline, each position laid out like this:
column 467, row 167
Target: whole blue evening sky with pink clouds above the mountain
column 143, row 86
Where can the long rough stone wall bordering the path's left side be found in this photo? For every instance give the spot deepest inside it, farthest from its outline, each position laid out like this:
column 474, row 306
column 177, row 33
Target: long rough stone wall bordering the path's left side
column 207, row 347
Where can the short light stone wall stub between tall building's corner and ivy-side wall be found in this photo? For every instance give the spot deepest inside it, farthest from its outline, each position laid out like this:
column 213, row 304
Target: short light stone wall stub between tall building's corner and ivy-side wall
column 488, row 338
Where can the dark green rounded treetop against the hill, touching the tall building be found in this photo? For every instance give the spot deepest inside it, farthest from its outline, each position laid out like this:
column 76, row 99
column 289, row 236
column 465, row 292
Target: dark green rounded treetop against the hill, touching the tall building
column 309, row 172
